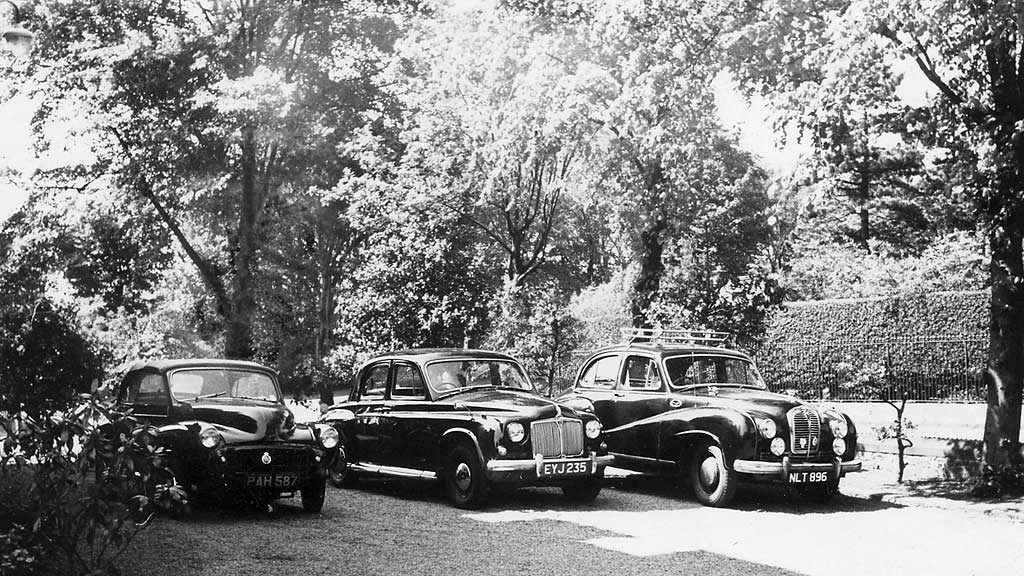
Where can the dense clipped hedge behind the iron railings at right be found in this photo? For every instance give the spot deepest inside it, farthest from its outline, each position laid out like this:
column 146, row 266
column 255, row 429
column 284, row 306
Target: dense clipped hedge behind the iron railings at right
column 930, row 347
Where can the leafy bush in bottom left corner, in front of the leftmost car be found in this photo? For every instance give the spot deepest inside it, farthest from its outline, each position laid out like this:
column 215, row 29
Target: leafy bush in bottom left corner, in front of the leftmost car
column 95, row 477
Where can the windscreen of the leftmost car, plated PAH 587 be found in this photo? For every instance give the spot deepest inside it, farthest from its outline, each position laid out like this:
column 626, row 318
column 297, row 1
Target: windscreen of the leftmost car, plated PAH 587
column 196, row 384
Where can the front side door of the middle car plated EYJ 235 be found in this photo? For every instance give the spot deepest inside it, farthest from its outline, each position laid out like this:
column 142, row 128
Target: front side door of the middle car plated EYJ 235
column 407, row 440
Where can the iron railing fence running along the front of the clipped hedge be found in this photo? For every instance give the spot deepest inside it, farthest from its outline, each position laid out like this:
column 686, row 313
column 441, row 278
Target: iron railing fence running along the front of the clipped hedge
column 925, row 369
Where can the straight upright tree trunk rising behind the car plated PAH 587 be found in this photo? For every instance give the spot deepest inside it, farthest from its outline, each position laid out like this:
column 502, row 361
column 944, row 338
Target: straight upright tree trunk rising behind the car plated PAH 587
column 239, row 337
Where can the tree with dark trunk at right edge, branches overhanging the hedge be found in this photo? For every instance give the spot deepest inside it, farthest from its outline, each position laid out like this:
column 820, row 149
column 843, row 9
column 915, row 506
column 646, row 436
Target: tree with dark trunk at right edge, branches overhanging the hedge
column 849, row 55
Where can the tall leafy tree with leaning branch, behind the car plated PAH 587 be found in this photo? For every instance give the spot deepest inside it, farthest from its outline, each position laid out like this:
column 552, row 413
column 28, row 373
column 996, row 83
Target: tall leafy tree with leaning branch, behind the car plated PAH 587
column 215, row 115
